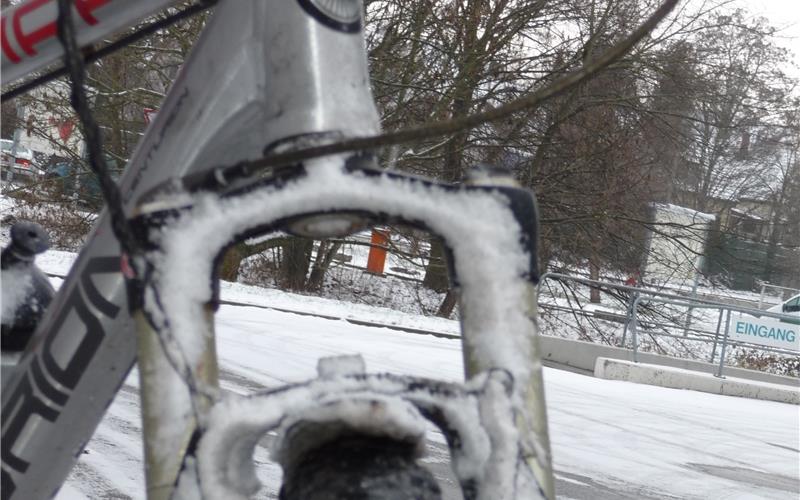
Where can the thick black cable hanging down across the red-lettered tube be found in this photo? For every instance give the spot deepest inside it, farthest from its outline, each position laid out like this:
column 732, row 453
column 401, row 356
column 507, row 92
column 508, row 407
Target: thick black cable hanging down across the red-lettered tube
column 73, row 61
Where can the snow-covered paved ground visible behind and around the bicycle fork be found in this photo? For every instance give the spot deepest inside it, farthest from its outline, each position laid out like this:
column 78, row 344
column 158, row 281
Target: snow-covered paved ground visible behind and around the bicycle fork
column 610, row 439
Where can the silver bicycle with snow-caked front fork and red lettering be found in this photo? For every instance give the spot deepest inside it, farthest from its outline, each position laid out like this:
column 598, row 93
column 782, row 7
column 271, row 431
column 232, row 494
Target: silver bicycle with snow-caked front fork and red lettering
column 133, row 271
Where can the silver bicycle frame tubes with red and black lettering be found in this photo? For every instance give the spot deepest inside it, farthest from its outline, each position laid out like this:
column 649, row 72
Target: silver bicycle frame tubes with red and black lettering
column 262, row 77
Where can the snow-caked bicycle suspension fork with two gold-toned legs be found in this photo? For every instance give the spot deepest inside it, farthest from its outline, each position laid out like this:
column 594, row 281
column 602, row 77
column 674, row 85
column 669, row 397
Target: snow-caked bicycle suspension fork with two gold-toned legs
column 495, row 336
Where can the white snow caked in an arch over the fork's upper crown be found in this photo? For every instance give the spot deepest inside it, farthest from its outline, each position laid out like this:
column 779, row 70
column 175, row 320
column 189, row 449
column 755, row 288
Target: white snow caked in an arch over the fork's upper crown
column 193, row 242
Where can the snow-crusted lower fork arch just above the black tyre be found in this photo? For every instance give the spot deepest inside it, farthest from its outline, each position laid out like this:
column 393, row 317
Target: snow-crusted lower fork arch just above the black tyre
column 479, row 414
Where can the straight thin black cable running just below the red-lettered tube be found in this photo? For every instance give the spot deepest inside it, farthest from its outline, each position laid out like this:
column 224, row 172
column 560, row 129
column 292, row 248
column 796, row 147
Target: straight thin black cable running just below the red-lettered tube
column 110, row 48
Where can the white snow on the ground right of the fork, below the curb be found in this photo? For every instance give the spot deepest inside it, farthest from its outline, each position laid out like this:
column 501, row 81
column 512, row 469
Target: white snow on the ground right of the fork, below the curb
column 691, row 428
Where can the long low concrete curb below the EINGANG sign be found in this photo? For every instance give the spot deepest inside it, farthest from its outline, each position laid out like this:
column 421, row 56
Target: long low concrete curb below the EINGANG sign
column 676, row 378
